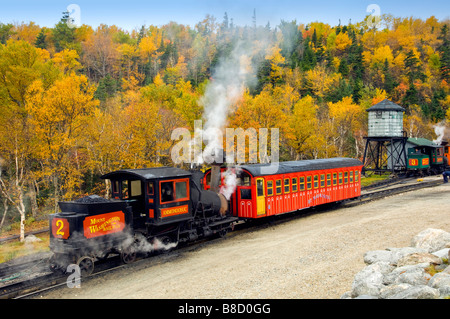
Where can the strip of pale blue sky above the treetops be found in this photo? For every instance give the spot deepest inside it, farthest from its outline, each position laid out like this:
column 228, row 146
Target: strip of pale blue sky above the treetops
column 132, row 14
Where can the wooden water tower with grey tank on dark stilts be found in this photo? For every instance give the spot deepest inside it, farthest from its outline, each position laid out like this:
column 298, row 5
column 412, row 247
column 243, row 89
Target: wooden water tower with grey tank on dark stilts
column 385, row 144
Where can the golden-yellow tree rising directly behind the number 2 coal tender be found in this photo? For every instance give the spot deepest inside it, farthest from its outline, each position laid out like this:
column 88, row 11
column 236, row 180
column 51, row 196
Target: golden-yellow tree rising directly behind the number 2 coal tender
column 59, row 117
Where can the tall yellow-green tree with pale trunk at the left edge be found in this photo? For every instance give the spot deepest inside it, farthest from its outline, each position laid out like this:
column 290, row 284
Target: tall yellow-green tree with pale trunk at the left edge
column 20, row 65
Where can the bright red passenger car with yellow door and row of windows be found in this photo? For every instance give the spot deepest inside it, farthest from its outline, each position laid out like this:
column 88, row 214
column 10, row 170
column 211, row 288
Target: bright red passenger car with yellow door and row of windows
column 296, row 185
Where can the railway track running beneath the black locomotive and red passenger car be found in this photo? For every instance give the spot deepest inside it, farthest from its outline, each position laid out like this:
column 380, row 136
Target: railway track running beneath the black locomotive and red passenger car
column 27, row 279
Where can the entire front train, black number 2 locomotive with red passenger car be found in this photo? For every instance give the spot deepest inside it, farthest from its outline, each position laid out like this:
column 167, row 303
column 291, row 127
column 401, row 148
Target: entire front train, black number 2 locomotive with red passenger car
column 158, row 208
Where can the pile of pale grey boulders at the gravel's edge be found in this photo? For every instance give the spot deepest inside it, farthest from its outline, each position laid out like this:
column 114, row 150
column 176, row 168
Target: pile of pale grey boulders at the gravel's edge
column 417, row 272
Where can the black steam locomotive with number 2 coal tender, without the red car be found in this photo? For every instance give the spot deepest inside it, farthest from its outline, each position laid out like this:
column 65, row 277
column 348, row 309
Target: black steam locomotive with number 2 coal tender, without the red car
column 151, row 209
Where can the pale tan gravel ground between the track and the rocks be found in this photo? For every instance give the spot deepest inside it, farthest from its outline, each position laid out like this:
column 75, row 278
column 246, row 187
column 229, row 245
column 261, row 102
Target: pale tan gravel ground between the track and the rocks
column 316, row 256
